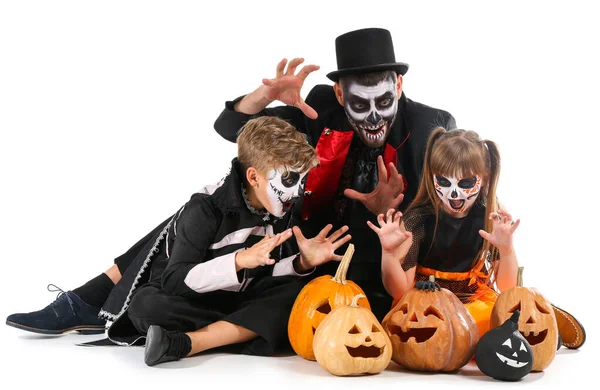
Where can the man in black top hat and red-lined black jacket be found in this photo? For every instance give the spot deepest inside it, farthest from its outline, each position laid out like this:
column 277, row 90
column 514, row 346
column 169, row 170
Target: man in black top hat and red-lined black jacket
column 370, row 139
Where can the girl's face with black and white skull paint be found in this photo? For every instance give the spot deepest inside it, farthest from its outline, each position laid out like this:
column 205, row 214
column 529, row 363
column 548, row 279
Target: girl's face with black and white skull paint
column 458, row 194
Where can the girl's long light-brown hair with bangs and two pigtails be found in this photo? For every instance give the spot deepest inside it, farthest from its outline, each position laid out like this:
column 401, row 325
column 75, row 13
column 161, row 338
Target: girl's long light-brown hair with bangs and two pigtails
column 460, row 153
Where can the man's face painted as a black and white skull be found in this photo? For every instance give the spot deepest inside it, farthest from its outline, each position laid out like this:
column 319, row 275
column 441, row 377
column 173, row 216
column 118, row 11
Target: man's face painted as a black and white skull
column 371, row 110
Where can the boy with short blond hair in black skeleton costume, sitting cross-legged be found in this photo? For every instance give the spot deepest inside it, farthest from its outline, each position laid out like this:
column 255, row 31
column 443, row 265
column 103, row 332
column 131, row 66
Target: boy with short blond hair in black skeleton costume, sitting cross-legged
column 219, row 274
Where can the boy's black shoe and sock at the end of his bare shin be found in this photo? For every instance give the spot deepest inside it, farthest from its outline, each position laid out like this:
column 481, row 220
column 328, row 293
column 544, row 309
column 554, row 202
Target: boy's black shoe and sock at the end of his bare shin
column 165, row 346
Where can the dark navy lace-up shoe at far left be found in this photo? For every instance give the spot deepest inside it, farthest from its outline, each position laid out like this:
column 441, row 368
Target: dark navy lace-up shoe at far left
column 66, row 314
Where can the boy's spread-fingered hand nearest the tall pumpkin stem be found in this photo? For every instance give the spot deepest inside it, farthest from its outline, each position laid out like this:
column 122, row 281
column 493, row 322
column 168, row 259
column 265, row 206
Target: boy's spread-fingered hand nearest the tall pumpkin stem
column 320, row 249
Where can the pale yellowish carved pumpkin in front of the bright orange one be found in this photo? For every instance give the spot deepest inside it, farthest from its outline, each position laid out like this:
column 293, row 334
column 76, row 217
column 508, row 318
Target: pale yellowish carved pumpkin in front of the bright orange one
column 350, row 341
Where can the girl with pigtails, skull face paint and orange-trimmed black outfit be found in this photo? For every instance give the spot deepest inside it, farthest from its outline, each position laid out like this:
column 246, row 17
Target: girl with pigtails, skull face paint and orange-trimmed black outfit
column 455, row 229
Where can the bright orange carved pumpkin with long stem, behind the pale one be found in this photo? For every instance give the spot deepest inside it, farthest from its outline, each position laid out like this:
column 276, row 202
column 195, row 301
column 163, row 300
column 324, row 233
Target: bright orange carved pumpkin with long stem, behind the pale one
column 317, row 299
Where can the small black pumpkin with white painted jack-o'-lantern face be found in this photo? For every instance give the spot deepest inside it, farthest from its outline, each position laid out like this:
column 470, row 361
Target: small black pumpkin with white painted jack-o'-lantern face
column 503, row 353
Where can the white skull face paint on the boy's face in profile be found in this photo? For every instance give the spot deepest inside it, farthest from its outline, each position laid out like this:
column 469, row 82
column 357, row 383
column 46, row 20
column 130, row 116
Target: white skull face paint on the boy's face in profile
column 284, row 190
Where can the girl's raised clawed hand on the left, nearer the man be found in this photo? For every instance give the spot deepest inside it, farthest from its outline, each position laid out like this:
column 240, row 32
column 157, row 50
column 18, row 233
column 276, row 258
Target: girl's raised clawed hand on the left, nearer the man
column 391, row 236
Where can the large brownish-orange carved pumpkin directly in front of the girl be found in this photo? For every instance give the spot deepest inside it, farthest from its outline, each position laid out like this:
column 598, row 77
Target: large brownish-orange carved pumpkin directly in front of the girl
column 431, row 330
